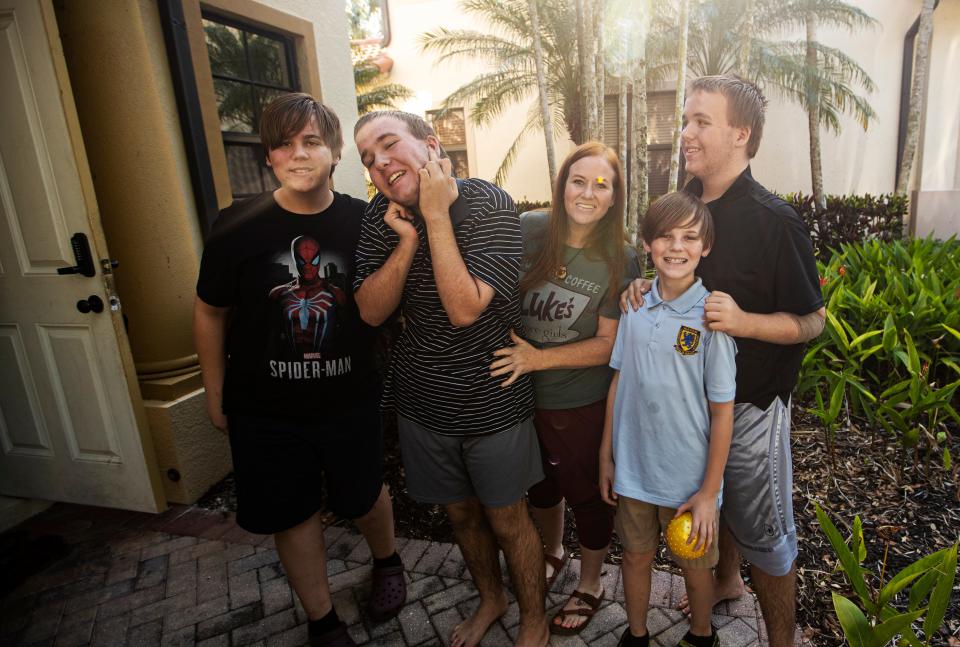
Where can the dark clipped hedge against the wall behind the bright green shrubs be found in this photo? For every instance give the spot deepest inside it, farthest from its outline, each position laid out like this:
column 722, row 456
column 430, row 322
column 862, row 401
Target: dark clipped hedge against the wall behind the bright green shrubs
column 850, row 219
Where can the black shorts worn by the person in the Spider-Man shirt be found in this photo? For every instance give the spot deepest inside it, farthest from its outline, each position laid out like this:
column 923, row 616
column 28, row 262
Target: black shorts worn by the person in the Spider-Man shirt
column 280, row 466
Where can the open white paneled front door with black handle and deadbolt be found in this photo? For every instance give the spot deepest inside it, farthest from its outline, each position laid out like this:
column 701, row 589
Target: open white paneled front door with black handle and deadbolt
column 71, row 421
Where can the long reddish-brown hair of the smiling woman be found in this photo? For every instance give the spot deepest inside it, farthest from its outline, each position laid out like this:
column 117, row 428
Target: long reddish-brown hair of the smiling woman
column 607, row 238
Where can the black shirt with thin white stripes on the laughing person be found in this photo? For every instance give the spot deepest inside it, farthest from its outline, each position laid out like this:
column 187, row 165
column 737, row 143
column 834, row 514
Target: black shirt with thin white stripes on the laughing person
column 439, row 375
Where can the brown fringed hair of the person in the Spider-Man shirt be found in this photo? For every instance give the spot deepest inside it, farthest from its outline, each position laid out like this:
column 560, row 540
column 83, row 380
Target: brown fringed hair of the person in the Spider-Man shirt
column 288, row 114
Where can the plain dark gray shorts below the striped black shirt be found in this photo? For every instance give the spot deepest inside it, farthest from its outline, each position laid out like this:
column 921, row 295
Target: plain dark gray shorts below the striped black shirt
column 497, row 469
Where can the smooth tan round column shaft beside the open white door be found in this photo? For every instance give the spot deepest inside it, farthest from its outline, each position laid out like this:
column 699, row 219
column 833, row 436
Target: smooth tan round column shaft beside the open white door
column 131, row 130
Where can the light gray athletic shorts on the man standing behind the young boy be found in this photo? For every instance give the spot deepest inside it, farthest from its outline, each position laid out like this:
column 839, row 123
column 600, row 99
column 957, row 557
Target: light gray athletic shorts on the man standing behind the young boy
column 758, row 487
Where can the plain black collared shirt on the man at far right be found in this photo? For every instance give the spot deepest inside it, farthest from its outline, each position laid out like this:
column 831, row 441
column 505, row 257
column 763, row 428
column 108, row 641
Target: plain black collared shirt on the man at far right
column 762, row 257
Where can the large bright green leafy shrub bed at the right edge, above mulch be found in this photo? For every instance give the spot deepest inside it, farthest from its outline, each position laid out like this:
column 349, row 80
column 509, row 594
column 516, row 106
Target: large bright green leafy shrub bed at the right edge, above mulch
column 890, row 350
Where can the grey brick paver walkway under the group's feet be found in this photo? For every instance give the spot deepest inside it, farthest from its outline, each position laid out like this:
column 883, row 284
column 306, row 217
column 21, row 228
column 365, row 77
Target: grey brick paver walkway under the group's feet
column 192, row 577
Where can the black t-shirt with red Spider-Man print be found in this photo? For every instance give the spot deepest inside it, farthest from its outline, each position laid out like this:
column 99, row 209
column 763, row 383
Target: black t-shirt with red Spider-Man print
column 295, row 342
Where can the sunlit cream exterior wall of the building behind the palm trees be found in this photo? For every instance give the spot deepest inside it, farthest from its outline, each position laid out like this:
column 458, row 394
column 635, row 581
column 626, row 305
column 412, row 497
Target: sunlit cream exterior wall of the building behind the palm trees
column 853, row 162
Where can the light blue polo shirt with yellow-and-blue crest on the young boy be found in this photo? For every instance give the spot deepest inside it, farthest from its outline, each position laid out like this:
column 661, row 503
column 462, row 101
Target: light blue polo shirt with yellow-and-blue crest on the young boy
column 670, row 367
